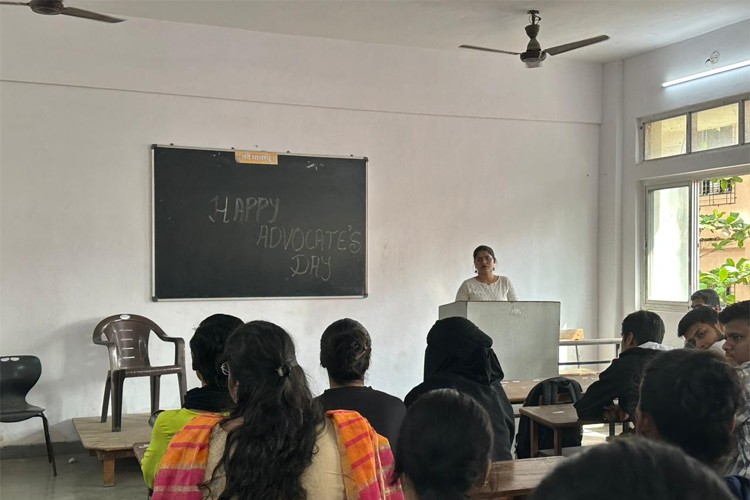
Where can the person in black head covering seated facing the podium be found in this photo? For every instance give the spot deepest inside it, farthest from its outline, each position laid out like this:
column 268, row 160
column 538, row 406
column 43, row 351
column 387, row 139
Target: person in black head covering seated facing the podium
column 459, row 356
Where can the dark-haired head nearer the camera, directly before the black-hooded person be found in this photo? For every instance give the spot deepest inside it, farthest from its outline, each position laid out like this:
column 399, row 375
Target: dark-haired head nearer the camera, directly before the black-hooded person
column 445, row 445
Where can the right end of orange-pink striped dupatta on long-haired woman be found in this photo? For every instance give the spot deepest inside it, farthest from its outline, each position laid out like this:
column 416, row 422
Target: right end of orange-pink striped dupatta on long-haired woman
column 366, row 459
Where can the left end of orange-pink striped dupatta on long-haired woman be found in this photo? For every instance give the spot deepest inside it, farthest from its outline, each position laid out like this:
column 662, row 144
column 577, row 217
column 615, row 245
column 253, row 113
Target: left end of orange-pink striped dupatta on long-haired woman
column 183, row 466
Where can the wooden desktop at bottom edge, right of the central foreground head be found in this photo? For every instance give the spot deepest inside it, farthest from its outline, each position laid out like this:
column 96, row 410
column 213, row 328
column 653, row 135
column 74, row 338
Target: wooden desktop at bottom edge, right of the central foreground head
column 516, row 478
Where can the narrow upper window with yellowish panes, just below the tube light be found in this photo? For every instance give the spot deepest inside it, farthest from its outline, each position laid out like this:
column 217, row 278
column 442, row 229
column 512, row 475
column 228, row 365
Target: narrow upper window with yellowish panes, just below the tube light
column 697, row 130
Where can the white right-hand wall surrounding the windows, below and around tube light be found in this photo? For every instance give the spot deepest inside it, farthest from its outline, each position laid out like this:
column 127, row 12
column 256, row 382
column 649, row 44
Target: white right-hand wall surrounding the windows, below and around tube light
column 632, row 90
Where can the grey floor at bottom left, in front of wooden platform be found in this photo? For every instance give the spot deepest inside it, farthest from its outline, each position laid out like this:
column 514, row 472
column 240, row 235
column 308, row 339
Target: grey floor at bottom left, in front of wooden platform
column 32, row 479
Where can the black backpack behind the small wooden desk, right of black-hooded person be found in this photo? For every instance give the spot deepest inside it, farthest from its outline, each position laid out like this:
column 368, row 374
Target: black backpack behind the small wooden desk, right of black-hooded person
column 550, row 391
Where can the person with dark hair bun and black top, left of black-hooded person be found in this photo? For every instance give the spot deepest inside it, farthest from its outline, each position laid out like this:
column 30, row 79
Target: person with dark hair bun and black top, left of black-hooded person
column 345, row 349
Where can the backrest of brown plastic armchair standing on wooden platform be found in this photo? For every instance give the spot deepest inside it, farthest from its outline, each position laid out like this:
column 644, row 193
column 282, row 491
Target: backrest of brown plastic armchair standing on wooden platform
column 127, row 337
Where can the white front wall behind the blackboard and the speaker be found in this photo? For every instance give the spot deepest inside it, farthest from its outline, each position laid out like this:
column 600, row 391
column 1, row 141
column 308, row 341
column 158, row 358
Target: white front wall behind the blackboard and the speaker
column 464, row 149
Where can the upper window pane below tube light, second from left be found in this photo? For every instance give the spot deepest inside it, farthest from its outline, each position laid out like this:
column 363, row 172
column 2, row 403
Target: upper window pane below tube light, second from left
column 715, row 127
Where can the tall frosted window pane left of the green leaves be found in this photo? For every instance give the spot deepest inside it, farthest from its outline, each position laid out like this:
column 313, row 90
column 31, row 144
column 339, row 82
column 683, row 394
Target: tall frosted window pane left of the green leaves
column 668, row 256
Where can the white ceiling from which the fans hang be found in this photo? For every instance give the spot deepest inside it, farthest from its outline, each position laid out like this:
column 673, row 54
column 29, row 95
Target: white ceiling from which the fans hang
column 634, row 26
